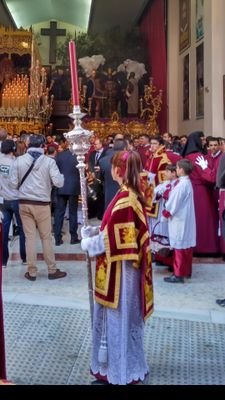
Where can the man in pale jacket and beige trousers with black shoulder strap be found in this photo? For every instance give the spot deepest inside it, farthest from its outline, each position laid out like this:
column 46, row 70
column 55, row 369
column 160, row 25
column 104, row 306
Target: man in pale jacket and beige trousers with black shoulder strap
column 34, row 174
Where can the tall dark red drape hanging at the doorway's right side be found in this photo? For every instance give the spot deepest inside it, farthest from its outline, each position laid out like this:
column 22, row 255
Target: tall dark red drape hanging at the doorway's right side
column 152, row 27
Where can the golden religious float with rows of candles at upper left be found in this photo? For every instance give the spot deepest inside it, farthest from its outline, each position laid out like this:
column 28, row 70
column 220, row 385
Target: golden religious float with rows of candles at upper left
column 25, row 103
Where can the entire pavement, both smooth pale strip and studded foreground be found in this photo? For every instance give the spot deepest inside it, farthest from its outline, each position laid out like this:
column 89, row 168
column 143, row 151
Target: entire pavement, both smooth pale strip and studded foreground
column 48, row 335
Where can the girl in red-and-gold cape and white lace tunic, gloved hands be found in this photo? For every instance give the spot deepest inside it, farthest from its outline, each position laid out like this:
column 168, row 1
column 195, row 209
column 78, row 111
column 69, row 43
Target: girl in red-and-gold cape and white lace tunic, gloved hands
column 123, row 279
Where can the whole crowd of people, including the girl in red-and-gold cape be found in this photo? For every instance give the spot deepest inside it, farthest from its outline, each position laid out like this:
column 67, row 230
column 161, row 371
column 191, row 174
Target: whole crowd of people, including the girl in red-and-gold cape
column 152, row 195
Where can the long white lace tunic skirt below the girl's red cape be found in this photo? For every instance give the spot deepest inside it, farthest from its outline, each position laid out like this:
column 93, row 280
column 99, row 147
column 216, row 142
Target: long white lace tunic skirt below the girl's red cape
column 124, row 333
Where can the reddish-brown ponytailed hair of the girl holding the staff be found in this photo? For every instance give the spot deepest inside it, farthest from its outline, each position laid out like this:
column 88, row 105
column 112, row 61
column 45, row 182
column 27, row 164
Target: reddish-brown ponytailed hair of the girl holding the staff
column 130, row 167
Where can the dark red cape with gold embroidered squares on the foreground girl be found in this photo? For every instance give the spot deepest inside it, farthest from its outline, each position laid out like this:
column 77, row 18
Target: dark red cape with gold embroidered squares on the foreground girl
column 126, row 238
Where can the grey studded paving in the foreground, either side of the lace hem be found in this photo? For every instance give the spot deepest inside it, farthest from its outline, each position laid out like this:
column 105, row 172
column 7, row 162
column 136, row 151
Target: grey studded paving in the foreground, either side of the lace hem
column 49, row 345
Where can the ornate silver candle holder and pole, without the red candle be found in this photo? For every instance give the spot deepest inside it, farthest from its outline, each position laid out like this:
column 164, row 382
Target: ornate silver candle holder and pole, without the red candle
column 78, row 139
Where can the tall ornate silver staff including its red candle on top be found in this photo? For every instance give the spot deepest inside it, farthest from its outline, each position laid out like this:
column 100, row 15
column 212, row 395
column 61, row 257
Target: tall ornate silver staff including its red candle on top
column 78, row 139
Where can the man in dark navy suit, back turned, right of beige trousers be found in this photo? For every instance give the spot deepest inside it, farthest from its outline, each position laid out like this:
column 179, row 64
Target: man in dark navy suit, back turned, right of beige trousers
column 69, row 193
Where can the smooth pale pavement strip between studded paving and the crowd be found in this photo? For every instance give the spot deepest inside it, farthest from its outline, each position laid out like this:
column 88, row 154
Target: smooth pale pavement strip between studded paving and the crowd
column 194, row 300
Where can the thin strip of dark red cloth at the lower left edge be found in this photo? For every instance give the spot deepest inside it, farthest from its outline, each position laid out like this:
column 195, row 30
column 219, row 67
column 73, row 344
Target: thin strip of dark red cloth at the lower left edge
column 2, row 343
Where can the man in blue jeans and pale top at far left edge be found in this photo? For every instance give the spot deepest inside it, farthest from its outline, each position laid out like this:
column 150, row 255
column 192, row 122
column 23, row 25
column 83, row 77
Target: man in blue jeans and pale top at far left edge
column 9, row 200
